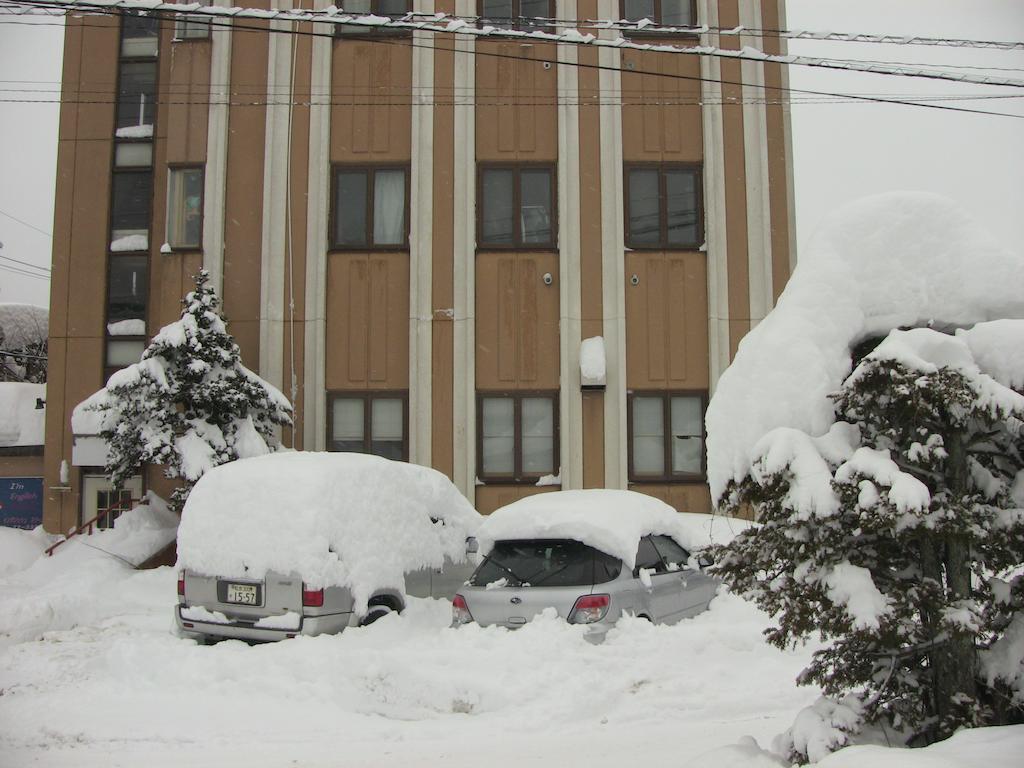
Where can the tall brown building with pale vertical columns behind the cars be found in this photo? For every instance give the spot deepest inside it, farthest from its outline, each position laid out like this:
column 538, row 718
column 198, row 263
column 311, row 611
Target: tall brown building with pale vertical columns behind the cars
column 414, row 234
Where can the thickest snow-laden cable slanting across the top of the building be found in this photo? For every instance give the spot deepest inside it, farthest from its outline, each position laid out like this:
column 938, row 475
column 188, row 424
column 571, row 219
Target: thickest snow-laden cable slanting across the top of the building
column 445, row 25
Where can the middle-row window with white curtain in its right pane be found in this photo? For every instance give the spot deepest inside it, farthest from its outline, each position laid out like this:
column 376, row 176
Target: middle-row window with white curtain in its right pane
column 370, row 208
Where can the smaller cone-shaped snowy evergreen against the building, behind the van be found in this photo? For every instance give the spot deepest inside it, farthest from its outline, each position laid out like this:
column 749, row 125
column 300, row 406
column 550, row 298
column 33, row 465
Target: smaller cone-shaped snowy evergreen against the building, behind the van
column 189, row 405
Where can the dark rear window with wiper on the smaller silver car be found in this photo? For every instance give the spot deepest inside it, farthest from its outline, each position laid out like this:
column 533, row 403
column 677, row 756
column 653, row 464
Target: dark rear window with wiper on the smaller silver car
column 546, row 564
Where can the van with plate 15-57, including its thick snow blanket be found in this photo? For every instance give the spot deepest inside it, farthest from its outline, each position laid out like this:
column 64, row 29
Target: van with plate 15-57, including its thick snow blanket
column 306, row 544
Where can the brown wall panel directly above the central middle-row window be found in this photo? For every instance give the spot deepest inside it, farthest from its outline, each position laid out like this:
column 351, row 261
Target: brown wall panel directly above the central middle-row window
column 518, row 114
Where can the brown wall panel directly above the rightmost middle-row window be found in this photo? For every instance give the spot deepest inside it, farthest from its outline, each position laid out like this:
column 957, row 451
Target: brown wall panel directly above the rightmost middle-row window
column 662, row 120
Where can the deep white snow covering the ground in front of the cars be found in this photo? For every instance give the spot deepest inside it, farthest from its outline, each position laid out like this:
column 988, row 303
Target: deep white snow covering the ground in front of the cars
column 112, row 686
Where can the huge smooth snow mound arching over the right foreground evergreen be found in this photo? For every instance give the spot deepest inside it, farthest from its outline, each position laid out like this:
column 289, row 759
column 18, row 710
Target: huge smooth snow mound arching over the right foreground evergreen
column 886, row 262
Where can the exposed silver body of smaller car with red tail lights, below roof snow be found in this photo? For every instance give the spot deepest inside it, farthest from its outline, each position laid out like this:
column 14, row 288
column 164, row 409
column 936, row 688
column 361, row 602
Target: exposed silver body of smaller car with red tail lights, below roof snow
column 519, row 579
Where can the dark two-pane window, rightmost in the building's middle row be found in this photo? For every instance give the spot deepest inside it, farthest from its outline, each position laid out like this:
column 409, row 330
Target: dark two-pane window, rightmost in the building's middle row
column 663, row 207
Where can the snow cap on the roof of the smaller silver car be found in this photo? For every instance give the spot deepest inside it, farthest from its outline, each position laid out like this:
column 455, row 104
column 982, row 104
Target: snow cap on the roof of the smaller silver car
column 613, row 522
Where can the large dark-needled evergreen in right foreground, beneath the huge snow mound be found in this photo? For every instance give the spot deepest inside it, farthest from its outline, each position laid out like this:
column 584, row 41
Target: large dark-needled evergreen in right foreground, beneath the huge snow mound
column 897, row 537
